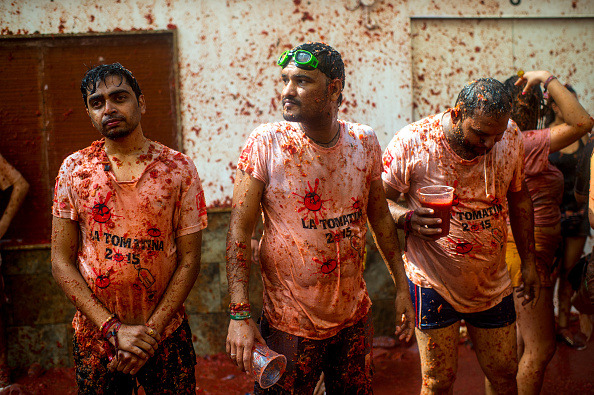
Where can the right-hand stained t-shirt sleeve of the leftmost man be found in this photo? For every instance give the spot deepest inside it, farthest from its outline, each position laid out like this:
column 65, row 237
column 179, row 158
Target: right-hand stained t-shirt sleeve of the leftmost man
column 192, row 213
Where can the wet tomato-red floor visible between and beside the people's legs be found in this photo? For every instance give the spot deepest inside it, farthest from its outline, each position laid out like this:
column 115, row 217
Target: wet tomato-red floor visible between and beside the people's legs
column 397, row 371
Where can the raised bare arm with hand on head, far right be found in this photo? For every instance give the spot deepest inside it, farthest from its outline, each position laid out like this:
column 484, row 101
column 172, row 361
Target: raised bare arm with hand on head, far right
column 577, row 121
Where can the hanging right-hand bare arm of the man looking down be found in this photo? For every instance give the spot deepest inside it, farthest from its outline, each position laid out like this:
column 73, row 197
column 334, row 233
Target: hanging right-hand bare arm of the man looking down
column 521, row 216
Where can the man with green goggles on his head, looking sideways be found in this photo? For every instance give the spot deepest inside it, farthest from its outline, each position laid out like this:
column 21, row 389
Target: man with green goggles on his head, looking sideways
column 317, row 180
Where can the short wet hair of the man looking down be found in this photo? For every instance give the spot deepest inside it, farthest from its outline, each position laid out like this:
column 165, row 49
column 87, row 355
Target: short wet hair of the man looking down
column 485, row 94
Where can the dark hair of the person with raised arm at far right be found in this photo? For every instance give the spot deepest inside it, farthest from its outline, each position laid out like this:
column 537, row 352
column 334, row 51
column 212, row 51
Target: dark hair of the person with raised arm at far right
column 527, row 109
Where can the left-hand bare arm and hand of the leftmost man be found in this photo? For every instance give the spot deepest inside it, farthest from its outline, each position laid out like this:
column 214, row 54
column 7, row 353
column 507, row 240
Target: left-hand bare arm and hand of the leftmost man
column 134, row 339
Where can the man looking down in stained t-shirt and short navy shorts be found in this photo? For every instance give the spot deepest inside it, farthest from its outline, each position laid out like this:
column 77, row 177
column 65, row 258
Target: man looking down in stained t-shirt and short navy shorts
column 476, row 149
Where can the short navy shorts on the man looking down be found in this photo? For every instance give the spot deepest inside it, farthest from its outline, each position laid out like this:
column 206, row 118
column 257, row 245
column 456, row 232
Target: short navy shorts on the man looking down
column 434, row 312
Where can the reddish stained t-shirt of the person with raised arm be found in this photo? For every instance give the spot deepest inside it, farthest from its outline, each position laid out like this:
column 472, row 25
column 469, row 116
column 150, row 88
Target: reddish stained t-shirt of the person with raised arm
column 544, row 180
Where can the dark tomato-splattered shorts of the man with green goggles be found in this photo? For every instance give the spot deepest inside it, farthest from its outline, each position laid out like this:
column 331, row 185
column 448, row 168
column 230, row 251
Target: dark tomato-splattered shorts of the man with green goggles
column 345, row 359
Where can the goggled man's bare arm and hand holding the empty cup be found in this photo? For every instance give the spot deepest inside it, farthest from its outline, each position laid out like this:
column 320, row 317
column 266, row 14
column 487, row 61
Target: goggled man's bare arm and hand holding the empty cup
column 247, row 195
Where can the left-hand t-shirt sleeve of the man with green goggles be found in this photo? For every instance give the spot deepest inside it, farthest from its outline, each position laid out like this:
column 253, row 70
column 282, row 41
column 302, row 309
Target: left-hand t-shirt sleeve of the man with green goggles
column 253, row 158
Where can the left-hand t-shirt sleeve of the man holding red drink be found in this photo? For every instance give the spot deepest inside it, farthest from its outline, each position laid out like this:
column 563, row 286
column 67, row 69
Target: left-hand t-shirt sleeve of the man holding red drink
column 397, row 165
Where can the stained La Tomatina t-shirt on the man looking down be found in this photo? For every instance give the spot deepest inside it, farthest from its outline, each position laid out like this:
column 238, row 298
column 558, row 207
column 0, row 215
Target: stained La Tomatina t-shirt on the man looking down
column 467, row 267
